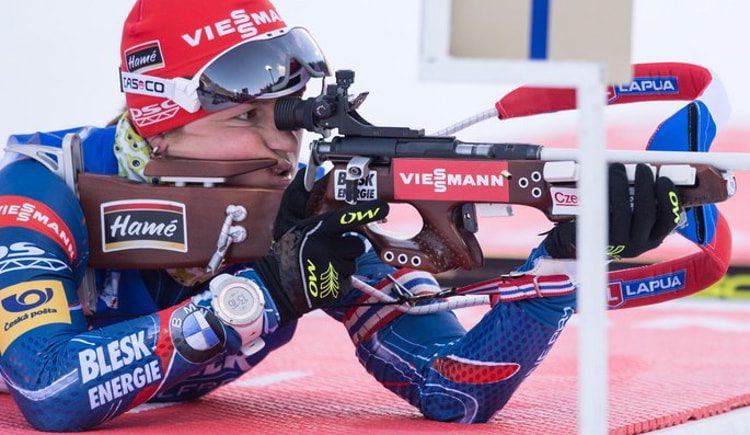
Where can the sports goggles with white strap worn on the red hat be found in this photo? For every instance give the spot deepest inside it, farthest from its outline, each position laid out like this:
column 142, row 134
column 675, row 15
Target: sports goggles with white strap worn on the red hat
column 258, row 69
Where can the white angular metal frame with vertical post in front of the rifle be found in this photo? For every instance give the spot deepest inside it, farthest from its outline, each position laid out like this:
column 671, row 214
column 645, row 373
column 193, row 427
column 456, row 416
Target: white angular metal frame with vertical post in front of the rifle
column 588, row 79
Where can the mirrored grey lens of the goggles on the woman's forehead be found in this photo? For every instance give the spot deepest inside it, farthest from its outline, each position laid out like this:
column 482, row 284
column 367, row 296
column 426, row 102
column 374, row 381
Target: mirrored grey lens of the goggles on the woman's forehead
column 258, row 69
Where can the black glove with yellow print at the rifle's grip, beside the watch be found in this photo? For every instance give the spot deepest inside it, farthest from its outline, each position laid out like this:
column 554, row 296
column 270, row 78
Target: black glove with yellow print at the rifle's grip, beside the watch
column 311, row 262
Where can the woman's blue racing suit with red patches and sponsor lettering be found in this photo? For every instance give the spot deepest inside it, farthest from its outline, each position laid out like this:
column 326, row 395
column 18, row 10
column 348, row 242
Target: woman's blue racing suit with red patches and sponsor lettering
column 68, row 371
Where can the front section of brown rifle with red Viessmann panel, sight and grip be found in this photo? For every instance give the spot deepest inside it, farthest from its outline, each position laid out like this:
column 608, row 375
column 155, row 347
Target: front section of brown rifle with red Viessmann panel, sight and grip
column 443, row 178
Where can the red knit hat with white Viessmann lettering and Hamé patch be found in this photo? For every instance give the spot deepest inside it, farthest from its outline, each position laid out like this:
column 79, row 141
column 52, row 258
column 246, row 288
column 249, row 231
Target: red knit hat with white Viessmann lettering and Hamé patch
column 176, row 38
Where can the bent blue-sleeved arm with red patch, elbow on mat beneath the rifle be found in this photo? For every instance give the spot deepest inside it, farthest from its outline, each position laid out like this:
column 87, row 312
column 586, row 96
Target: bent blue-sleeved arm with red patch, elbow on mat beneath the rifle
column 450, row 374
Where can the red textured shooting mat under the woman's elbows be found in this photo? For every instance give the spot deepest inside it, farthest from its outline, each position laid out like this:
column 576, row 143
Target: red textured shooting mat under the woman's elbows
column 668, row 364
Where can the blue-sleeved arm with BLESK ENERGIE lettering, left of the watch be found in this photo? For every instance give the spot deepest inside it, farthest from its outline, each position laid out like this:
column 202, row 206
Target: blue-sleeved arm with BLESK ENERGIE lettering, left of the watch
column 62, row 375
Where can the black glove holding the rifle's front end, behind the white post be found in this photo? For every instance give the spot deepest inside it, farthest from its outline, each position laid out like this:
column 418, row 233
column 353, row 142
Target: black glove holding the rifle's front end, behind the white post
column 632, row 230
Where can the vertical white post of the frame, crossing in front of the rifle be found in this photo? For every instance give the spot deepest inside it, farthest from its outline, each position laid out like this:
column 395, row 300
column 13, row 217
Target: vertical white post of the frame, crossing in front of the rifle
column 592, row 232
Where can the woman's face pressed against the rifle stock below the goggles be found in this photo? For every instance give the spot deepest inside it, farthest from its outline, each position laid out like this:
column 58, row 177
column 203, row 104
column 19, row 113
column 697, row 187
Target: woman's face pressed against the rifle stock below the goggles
column 244, row 132
